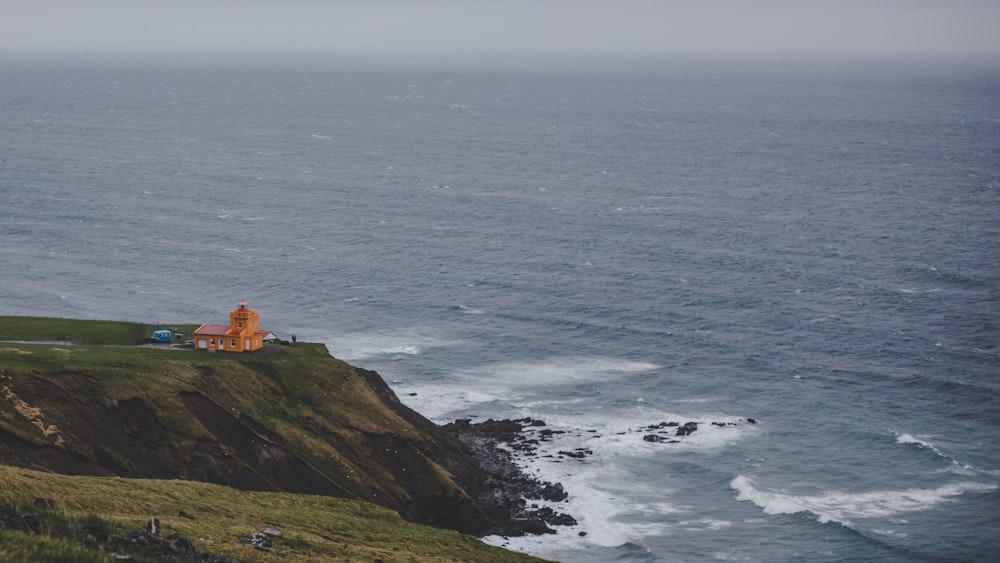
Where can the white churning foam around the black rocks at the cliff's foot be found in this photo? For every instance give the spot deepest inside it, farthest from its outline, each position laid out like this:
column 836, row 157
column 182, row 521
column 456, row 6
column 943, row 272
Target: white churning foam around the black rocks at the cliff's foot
column 612, row 505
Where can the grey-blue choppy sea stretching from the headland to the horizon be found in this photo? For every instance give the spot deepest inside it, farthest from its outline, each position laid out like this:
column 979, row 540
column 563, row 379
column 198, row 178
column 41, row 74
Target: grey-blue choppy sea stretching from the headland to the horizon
column 604, row 245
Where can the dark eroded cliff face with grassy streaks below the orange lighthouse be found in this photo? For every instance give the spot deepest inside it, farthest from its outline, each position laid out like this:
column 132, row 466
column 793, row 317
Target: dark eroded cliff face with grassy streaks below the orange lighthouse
column 289, row 421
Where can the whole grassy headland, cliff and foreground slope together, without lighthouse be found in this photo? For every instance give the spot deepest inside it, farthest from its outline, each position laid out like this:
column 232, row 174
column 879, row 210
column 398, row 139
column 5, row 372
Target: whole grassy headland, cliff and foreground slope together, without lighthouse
column 76, row 419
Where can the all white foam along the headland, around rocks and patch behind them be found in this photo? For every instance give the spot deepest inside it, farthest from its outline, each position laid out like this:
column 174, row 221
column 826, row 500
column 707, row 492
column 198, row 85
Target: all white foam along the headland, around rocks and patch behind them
column 611, row 505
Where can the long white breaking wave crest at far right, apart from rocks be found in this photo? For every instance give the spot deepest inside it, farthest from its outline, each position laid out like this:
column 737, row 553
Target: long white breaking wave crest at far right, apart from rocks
column 842, row 507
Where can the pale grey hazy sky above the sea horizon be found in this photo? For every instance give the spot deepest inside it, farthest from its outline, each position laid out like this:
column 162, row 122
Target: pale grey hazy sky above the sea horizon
column 943, row 27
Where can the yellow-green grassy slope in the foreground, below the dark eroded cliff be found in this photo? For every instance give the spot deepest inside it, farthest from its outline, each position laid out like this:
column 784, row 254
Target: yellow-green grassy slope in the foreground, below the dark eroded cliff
column 313, row 527
